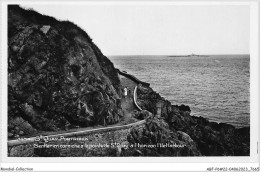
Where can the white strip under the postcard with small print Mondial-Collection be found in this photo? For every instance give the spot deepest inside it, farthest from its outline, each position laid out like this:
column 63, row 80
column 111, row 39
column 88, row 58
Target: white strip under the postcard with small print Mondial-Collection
column 148, row 167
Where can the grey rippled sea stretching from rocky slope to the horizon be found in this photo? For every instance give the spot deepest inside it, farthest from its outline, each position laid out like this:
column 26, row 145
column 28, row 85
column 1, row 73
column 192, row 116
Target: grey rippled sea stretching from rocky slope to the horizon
column 216, row 87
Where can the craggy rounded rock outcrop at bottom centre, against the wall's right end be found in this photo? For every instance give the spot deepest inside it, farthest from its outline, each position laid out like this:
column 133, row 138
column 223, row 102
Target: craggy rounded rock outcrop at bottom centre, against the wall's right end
column 156, row 139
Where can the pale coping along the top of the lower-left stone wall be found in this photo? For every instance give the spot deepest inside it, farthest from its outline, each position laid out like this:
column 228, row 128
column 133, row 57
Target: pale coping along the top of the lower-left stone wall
column 78, row 133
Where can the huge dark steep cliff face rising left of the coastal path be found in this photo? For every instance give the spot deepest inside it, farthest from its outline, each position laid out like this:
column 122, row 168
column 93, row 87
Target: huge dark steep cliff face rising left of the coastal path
column 57, row 77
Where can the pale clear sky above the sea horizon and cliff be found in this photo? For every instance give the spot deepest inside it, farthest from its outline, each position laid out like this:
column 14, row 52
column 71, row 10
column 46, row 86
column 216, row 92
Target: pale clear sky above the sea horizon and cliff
column 121, row 29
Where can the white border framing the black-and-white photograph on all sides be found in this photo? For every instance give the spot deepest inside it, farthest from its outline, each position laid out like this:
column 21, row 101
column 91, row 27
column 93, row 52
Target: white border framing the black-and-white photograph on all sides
column 254, row 86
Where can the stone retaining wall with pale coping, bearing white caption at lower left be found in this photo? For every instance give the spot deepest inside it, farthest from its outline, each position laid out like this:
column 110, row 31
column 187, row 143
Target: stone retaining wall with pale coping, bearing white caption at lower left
column 109, row 141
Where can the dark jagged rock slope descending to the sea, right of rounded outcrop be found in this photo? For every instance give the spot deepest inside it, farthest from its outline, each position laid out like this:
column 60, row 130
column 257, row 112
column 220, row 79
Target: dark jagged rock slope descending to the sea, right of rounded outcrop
column 211, row 138
